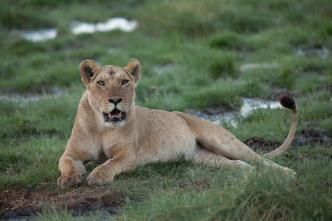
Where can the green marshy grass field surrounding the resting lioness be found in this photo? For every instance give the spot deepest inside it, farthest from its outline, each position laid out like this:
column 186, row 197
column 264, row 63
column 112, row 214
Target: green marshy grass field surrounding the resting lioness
column 193, row 55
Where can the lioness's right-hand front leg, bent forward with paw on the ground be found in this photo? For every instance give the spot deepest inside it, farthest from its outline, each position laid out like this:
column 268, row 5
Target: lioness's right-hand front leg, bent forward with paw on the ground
column 106, row 172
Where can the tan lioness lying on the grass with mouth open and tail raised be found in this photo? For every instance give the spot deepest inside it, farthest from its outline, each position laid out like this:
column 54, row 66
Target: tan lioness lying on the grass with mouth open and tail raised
column 111, row 130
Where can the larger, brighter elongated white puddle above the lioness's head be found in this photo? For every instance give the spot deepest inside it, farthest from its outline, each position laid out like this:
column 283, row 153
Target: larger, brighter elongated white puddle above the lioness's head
column 110, row 25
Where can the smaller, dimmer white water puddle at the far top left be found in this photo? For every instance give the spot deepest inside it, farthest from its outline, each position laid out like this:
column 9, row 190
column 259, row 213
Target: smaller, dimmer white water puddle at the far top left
column 36, row 35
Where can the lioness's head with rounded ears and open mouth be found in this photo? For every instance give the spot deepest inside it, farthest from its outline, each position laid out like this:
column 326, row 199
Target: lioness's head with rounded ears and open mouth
column 111, row 90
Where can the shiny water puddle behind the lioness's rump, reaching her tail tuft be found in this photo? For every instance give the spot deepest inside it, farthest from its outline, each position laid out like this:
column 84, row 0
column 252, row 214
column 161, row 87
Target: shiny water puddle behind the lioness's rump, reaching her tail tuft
column 219, row 117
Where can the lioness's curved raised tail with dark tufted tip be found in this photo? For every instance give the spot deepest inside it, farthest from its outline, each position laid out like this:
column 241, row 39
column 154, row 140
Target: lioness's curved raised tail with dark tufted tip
column 288, row 102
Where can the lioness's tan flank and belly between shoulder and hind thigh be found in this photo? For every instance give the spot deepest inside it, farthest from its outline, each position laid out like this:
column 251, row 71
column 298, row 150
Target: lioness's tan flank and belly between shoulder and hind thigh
column 166, row 138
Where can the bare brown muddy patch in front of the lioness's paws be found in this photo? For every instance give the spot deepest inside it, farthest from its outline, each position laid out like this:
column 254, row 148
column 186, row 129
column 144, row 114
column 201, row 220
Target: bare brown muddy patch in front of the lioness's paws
column 18, row 204
